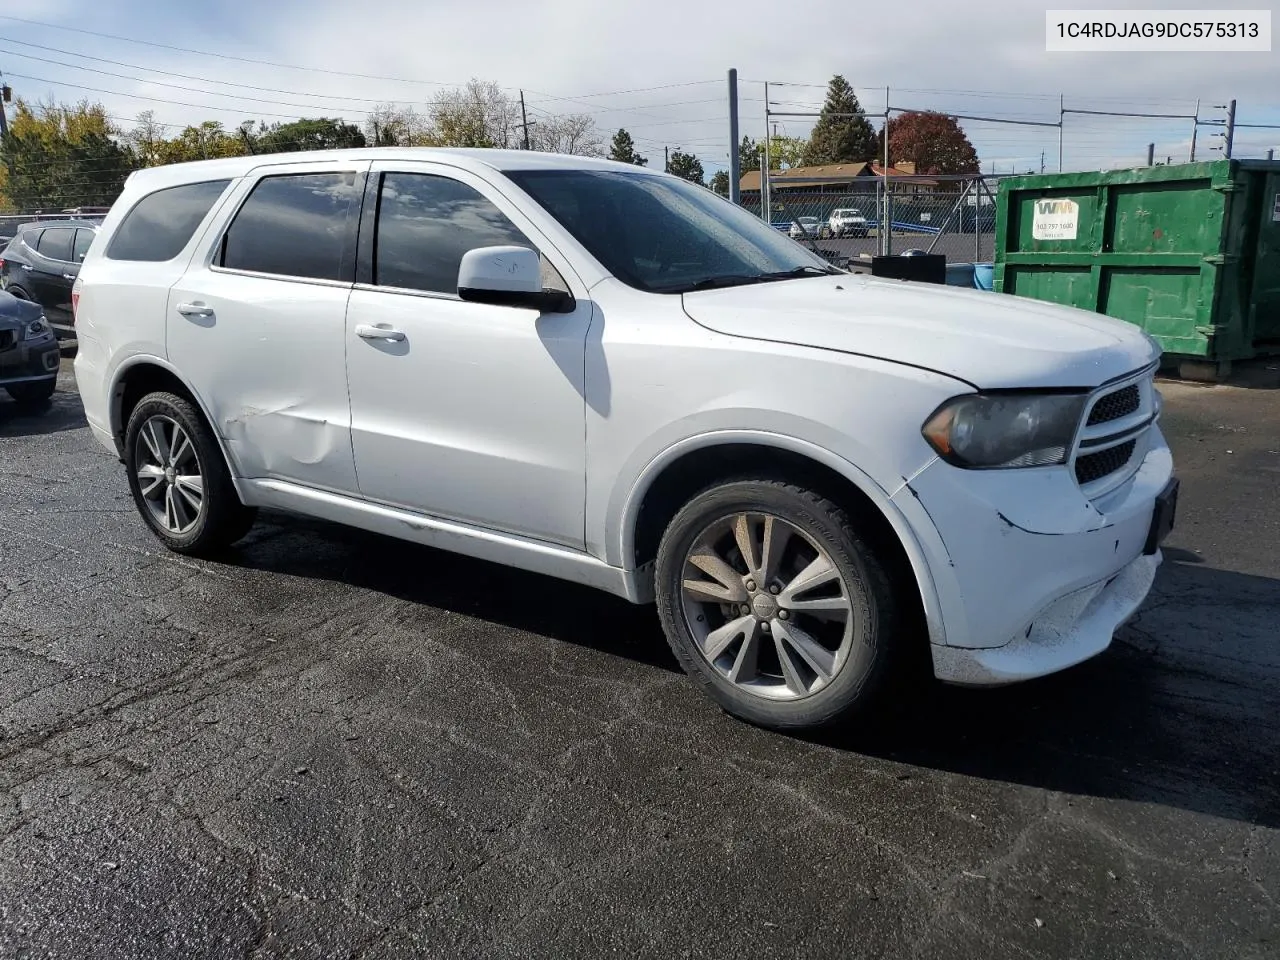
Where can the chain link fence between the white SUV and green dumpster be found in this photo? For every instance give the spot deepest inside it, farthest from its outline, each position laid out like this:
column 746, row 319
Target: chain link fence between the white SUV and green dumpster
column 844, row 222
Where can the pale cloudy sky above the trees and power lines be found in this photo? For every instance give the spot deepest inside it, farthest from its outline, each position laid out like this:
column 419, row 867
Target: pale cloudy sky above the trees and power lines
column 656, row 68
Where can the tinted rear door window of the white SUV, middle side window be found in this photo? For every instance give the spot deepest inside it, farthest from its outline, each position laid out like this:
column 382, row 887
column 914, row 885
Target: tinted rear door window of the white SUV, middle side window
column 296, row 226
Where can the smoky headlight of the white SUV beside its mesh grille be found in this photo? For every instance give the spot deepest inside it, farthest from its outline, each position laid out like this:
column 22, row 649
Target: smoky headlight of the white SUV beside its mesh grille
column 1005, row 429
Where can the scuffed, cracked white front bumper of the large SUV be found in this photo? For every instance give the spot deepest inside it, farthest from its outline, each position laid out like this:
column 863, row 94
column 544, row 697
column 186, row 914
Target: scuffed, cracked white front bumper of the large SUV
column 1031, row 577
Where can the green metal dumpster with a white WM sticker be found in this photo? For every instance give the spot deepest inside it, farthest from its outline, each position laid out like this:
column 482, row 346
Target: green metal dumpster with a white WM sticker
column 1190, row 253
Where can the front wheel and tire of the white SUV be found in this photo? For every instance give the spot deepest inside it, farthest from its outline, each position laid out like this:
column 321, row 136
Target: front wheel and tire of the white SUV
column 858, row 653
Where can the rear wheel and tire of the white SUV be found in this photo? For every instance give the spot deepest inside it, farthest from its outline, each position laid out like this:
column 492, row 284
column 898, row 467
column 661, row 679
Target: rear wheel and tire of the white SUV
column 181, row 520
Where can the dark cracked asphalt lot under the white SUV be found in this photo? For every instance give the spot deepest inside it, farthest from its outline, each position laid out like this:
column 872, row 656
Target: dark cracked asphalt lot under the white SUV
column 337, row 746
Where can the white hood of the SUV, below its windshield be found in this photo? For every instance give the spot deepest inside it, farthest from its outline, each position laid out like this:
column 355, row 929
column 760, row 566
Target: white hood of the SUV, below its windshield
column 990, row 341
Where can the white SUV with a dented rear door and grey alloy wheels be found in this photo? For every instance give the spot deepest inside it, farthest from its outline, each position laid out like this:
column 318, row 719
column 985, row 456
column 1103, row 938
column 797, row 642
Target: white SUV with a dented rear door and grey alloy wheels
column 614, row 377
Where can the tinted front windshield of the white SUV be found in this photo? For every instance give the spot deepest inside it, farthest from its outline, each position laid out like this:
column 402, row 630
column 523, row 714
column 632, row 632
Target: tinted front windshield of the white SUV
column 666, row 236
